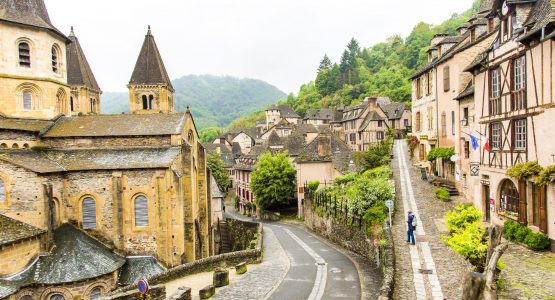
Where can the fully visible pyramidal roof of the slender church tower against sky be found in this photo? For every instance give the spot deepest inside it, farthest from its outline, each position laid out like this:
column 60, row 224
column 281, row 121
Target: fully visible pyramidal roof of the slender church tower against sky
column 149, row 68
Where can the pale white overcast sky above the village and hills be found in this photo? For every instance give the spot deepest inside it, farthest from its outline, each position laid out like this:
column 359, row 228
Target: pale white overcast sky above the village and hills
column 279, row 41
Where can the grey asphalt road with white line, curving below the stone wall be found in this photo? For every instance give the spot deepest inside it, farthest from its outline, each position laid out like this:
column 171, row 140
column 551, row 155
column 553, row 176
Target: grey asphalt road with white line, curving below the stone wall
column 317, row 271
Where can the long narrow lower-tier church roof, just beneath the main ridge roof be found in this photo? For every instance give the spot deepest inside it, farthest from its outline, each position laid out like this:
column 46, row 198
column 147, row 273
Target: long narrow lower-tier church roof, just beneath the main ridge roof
column 54, row 161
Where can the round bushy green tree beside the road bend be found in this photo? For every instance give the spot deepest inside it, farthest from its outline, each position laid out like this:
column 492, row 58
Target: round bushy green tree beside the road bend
column 273, row 180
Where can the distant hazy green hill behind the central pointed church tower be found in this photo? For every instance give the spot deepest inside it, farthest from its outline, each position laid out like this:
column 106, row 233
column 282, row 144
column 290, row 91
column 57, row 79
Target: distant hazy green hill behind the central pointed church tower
column 215, row 101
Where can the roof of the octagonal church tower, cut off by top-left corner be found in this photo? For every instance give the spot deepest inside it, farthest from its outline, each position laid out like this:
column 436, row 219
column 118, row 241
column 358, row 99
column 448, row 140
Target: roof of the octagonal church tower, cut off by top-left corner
column 27, row 12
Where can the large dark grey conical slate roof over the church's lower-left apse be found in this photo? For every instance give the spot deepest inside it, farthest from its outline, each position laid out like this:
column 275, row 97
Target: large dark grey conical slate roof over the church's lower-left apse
column 75, row 257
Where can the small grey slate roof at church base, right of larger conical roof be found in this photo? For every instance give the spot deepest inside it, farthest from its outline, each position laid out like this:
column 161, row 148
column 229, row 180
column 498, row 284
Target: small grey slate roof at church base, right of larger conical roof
column 137, row 267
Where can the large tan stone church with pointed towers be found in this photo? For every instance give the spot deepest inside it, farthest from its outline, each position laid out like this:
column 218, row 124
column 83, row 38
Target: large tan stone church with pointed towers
column 89, row 201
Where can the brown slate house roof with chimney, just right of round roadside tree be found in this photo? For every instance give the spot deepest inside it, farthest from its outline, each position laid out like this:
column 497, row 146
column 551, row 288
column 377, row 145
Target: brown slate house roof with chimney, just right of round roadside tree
column 341, row 155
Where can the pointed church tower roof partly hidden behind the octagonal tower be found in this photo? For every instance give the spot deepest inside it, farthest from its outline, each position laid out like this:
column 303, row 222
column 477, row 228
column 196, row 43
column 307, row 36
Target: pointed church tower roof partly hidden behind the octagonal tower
column 78, row 69
